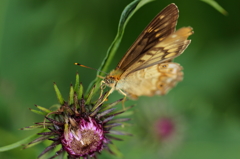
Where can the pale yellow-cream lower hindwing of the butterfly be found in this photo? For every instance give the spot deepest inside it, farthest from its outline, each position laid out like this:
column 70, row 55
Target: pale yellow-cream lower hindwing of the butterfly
column 157, row 79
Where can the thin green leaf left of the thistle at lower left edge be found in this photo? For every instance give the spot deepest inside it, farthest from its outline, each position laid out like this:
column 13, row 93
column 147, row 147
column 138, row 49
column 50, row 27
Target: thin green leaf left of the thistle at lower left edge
column 19, row 143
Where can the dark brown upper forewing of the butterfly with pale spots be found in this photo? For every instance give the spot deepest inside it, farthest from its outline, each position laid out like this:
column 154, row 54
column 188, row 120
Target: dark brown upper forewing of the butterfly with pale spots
column 162, row 26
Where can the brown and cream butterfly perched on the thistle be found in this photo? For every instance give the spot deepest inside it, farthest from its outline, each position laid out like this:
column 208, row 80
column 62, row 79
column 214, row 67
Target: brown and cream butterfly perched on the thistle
column 147, row 68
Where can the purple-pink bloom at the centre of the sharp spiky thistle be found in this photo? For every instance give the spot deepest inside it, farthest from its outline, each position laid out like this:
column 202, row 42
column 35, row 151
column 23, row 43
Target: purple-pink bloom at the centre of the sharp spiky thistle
column 87, row 138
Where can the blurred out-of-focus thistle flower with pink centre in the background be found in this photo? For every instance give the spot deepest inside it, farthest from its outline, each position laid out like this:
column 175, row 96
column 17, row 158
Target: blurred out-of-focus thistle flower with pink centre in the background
column 163, row 129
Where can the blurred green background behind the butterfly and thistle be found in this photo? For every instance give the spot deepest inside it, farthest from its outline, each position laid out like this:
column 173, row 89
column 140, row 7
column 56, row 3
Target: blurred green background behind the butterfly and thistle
column 40, row 40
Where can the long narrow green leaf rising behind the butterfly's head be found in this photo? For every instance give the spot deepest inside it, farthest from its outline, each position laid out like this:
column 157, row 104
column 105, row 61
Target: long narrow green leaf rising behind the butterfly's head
column 127, row 13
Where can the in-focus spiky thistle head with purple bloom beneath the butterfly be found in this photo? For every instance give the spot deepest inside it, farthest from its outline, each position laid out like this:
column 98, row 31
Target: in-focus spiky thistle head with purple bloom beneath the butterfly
column 83, row 128
